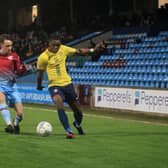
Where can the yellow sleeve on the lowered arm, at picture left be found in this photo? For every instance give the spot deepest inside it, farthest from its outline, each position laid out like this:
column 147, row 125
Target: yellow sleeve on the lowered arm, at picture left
column 42, row 62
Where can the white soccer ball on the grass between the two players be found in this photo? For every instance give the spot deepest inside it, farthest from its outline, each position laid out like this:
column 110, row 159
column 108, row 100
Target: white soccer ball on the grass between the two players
column 44, row 128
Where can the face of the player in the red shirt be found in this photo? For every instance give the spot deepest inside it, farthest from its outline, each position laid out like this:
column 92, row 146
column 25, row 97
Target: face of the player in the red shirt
column 6, row 47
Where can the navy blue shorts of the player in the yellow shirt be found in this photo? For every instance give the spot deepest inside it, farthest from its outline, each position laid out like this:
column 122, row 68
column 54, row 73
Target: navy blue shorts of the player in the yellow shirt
column 66, row 92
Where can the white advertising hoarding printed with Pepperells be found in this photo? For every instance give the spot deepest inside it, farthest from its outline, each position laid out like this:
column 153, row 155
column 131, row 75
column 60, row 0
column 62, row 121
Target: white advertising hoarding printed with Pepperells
column 132, row 99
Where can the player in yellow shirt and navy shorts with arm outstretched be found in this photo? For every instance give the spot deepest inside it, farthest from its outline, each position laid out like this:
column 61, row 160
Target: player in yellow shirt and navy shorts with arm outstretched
column 53, row 61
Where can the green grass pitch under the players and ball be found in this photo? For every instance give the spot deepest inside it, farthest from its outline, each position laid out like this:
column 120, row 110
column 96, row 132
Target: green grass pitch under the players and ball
column 108, row 143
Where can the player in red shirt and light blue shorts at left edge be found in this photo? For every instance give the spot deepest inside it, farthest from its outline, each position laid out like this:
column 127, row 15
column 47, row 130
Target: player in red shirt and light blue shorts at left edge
column 10, row 65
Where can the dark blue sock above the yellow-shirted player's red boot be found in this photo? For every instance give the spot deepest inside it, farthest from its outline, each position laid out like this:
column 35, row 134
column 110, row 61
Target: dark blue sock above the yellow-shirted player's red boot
column 64, row 120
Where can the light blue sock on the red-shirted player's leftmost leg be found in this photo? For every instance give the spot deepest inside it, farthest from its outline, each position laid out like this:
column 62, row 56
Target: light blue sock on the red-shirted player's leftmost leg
column 5, row 113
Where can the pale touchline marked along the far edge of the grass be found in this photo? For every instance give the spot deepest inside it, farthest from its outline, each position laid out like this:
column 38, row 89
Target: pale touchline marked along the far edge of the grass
column 102, row 116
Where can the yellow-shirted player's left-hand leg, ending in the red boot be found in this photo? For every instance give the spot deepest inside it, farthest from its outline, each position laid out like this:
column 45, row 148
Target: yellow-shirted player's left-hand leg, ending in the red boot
column 58, row 98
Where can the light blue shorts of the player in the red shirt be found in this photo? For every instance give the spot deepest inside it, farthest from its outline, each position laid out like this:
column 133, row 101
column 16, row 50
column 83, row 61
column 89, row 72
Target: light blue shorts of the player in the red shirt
column 12, row 95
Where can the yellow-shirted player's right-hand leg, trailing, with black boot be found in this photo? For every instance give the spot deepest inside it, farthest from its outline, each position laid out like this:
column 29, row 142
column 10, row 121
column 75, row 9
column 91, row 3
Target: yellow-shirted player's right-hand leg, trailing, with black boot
column 73, row 102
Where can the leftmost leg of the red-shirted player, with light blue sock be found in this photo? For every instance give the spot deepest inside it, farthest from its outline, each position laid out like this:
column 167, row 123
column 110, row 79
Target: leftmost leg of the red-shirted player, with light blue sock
column 5, row 113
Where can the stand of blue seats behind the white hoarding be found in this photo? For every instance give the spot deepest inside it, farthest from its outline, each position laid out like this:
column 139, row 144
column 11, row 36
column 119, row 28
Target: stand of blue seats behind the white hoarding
column 142, row 62
